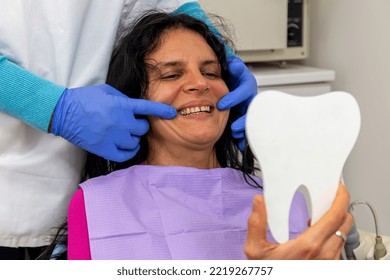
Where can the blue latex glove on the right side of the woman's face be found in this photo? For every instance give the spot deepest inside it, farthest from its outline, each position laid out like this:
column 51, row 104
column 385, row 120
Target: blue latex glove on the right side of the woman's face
column 244, row 87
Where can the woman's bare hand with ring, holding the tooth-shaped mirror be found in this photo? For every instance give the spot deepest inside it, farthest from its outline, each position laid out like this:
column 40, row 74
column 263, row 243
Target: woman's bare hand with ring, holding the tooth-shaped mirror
column 317, row 242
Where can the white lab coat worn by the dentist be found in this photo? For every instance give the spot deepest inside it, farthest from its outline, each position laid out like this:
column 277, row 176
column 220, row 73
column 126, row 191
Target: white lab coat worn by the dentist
column 68, row 42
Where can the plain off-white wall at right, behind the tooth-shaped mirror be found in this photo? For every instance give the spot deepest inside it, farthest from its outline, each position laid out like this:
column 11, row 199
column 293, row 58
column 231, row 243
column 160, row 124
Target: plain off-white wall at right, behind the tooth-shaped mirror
column 353, row 38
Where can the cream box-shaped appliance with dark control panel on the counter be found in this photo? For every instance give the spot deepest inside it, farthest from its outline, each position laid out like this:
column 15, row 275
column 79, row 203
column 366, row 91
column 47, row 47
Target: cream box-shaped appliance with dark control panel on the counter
column 265, row 30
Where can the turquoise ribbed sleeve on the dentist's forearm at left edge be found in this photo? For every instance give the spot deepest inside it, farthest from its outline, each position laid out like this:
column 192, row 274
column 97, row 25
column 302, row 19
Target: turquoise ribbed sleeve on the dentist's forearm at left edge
column 27, row 96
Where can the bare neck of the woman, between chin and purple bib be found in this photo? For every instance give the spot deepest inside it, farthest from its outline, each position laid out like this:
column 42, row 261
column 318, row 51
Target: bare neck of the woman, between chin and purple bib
column 182, row 156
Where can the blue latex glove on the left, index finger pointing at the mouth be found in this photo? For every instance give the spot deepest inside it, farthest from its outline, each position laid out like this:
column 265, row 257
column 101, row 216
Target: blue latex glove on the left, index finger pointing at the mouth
column 102, row 120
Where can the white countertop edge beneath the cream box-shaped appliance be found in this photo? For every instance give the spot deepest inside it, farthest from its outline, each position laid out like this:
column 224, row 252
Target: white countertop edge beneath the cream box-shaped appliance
column 270, row 75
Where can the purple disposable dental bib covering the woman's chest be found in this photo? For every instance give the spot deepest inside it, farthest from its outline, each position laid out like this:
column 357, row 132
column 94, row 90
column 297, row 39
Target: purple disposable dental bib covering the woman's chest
column 164, row 212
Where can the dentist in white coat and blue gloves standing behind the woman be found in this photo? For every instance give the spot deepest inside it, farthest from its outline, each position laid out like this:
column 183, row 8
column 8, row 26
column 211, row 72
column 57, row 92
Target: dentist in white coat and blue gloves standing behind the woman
column 54, row 57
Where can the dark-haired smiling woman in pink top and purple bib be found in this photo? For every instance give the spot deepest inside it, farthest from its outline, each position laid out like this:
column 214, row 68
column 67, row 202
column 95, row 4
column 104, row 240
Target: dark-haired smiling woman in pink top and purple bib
column 187, row 194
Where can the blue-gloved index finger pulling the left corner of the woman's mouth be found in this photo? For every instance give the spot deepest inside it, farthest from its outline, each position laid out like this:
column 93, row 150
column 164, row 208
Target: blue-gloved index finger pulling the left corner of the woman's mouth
column 152, row 108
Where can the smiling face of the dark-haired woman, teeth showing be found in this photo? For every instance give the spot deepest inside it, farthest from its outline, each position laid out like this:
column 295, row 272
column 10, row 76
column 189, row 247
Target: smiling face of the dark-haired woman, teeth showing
column 187, row 76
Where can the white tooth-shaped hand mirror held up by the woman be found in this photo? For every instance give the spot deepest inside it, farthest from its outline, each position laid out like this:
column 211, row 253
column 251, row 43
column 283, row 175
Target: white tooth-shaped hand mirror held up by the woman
column 301, row 140
